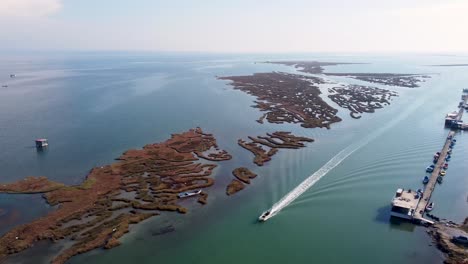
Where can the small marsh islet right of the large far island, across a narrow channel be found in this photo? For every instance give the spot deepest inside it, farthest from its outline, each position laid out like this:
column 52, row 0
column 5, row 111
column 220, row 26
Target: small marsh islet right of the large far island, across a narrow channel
column 360, row 99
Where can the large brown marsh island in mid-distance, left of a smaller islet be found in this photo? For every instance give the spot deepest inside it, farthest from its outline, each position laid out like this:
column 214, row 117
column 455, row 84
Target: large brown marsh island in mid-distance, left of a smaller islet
column 287, row 98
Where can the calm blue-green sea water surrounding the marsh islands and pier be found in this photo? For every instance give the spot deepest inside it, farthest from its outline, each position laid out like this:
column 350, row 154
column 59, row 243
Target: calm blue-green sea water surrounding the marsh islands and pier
column 94, row 106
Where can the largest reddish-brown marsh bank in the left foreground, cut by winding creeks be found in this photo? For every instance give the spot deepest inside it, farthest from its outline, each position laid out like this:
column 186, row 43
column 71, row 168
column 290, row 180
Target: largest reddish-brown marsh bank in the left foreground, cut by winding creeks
column 94, row 214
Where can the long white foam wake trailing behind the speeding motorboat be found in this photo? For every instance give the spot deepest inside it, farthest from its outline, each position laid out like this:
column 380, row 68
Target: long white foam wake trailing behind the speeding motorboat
column 336, row 160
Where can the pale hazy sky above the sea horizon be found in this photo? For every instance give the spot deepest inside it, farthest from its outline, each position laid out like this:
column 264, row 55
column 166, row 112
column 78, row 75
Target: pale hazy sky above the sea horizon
column 236, row 25
